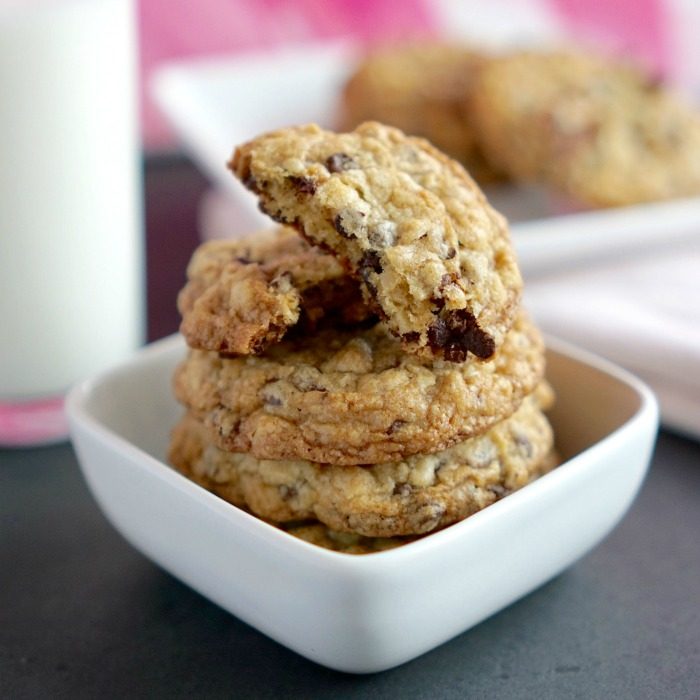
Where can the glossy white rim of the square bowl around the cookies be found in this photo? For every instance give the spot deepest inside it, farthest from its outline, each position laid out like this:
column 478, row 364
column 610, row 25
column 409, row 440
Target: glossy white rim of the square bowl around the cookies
column 82, row 421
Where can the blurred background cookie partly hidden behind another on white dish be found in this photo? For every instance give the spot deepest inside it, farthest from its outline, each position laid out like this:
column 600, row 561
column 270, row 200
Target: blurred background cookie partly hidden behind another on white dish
column 423, row 88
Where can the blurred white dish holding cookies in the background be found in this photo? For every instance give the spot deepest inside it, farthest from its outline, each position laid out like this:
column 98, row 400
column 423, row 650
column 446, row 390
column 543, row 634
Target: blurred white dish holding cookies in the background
column 215, row 104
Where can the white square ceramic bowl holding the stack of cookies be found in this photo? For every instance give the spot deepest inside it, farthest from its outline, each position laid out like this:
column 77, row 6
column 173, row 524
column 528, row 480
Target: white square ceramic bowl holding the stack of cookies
column 364, row 613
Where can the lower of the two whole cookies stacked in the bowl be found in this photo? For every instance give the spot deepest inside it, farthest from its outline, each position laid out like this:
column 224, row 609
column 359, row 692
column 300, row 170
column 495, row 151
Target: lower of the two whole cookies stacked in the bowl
column 410, row 497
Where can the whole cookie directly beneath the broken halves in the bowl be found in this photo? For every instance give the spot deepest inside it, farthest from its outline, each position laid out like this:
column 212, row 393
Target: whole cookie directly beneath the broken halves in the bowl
column 355, row 397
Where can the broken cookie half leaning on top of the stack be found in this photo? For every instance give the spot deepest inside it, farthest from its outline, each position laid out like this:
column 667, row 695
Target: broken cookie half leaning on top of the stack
column 434, row 259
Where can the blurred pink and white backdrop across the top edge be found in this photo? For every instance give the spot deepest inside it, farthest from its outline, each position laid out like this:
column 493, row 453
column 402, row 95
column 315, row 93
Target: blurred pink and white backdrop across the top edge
column 661, row 33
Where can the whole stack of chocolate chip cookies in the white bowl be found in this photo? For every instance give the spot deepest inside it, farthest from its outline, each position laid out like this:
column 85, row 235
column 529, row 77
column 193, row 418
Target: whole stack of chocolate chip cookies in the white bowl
column 362, row 374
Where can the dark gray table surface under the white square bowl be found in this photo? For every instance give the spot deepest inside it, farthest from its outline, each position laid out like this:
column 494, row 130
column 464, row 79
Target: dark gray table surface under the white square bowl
column 84, row 615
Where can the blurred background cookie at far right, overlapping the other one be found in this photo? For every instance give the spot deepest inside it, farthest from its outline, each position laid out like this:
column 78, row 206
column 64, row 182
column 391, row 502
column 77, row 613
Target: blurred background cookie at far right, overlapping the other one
column 596, row 129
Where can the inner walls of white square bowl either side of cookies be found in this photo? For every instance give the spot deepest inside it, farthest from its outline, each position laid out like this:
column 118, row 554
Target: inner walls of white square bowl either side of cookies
column 135, row 401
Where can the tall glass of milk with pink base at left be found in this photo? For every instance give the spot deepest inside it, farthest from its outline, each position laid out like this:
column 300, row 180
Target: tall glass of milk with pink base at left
column 71, row 246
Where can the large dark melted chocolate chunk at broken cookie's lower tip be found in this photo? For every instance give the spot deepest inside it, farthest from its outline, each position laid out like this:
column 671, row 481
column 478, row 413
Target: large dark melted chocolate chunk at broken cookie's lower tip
column 456, row 333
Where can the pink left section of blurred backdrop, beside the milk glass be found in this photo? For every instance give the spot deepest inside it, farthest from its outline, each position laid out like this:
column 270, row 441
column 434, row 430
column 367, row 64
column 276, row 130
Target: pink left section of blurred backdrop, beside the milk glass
column 171, row 30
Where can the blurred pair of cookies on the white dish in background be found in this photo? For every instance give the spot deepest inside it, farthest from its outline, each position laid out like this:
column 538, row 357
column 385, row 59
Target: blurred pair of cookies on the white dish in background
column 598, row 130
